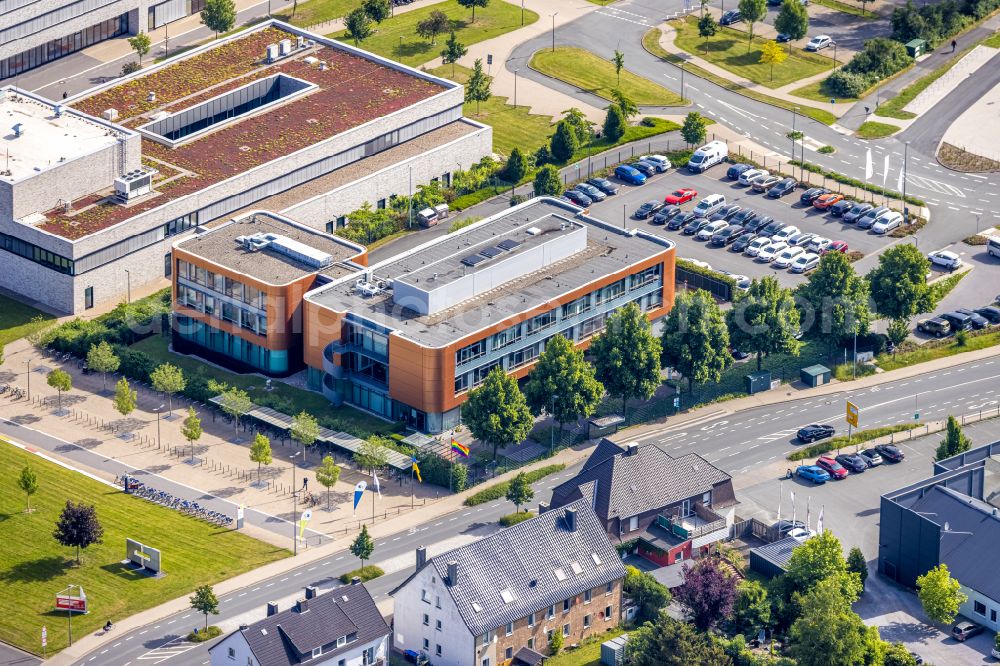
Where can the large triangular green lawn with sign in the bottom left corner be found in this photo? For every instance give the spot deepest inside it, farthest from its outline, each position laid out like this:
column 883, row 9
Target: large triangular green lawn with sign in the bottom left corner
column 34, row 567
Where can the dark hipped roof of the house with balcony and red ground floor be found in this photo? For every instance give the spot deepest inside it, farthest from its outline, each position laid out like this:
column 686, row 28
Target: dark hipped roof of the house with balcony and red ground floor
column 628, row 485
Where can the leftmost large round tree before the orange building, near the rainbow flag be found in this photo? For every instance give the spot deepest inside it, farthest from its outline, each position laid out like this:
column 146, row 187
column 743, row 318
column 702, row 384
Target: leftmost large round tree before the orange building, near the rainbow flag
column 496, row 412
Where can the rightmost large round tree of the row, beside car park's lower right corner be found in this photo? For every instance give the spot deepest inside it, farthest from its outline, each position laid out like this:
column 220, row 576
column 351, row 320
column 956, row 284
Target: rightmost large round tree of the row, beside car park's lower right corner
column 899, row 283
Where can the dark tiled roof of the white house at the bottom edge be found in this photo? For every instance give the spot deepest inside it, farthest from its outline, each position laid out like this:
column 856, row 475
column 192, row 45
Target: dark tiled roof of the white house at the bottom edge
column 289, row 637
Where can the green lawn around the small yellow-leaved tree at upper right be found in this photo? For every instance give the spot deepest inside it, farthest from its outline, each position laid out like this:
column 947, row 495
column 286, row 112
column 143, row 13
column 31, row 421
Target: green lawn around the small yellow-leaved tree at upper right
column 728, row 49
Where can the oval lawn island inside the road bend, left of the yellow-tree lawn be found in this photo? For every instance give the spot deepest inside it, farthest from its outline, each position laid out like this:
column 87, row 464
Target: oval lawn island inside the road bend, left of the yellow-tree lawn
column 596, row 75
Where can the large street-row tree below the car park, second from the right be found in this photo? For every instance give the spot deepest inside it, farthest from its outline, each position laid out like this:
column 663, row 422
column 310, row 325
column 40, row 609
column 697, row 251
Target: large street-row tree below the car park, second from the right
column 836, row 298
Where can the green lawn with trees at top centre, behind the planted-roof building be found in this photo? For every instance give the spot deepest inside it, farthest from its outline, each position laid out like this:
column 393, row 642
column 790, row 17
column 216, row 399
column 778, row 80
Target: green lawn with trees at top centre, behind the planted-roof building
column 397, row 37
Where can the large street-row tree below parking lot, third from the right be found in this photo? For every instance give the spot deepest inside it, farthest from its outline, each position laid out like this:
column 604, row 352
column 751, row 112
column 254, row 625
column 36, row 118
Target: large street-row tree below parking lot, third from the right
column 764, row 320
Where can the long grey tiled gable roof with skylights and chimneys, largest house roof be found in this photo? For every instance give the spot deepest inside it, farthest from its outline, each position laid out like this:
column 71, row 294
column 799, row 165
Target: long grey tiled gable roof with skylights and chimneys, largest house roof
column 524, row 559
